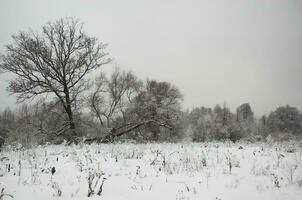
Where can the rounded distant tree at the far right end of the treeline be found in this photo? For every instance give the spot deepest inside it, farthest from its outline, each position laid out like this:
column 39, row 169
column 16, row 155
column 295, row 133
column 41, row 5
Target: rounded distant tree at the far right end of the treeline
column 285, row 119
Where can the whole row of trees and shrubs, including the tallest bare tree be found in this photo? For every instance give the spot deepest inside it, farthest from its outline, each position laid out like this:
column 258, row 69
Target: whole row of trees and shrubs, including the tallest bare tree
column 53, row 70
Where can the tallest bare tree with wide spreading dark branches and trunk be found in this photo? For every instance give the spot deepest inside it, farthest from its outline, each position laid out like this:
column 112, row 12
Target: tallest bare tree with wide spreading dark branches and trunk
column 55, row 62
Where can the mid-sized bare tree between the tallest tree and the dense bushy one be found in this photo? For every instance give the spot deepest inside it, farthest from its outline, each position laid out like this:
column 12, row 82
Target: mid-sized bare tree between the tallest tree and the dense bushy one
column 111, row 97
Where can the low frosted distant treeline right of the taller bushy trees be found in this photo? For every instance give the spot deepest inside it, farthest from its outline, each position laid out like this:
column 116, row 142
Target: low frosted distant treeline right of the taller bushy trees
column 219, row 123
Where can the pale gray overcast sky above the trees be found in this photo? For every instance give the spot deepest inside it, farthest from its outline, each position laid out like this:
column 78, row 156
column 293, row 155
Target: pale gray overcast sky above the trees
column 214, row 51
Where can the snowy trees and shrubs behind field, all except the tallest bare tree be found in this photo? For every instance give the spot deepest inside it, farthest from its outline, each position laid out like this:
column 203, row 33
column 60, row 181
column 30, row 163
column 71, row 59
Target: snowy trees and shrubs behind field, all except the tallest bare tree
column 122, row 107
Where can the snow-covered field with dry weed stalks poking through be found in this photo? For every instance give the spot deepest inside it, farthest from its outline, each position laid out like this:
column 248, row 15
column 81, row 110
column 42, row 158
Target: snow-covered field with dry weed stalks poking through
column 187, row 171
